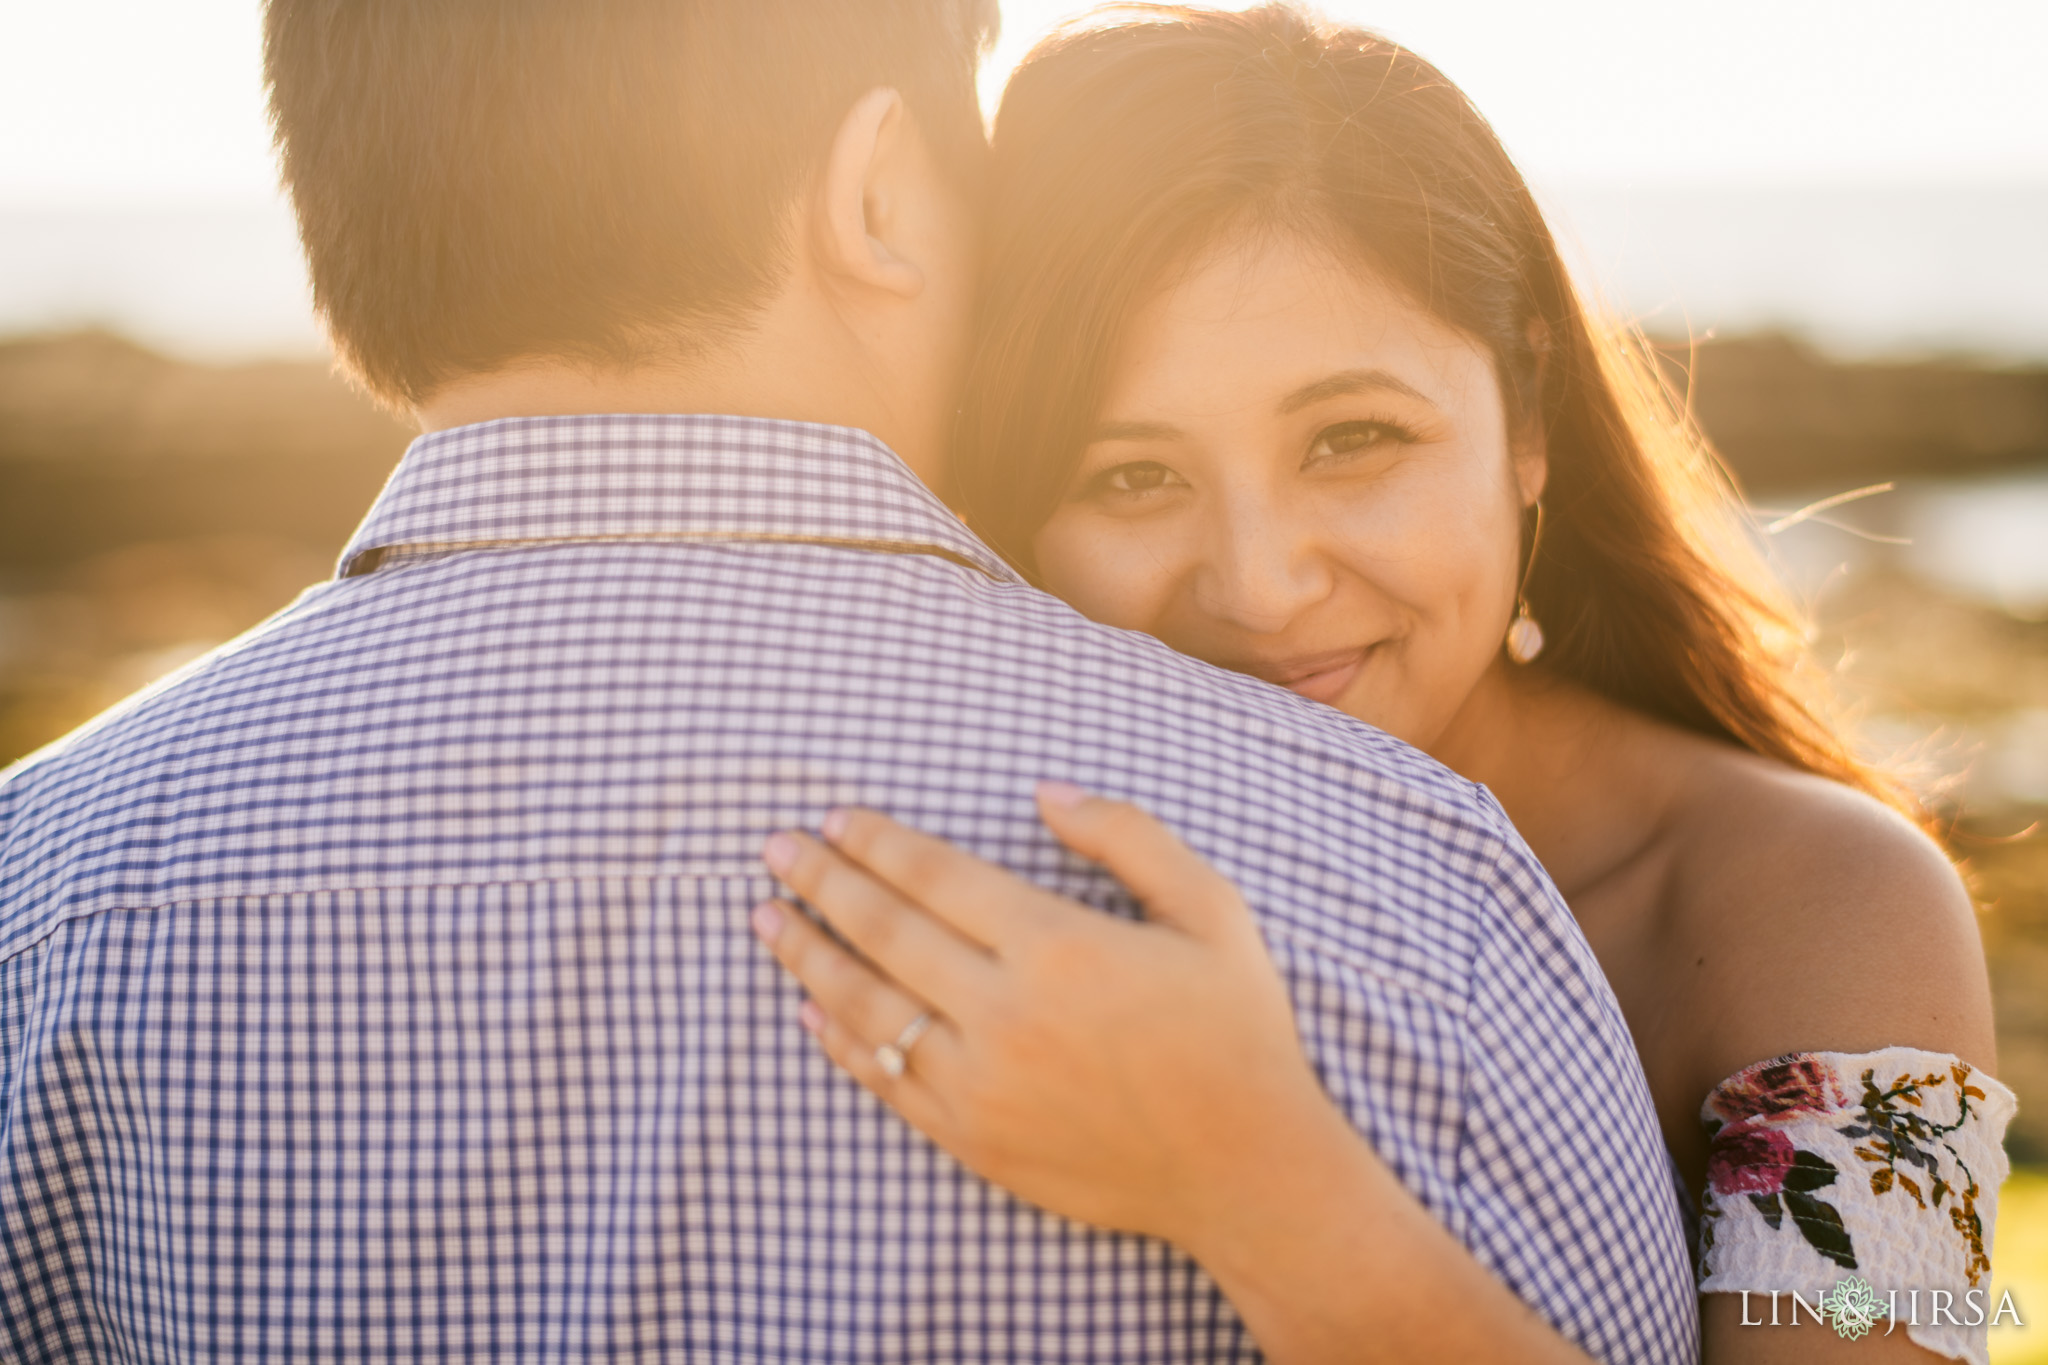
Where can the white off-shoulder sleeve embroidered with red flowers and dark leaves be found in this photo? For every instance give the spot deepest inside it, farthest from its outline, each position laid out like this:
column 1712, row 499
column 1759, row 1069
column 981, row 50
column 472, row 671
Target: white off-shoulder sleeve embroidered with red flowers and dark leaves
column 1879, row 1165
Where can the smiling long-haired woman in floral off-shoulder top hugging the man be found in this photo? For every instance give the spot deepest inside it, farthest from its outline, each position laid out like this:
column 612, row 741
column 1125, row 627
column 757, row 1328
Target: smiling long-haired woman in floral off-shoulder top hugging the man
column 1279, row 365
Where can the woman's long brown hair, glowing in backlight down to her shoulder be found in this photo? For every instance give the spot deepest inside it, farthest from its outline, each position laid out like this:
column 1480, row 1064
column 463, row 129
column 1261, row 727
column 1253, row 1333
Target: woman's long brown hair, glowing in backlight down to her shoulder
column 1123, row 152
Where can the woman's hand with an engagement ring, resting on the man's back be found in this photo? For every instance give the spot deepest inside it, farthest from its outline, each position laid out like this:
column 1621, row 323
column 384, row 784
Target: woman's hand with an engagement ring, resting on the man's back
column 1132, row 1075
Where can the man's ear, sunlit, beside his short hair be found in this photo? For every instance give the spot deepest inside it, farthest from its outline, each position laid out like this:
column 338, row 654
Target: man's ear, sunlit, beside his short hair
column 863, row 193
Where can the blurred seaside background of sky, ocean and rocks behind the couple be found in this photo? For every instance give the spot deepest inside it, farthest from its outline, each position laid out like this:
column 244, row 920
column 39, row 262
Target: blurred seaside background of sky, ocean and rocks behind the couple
column 1834, row 214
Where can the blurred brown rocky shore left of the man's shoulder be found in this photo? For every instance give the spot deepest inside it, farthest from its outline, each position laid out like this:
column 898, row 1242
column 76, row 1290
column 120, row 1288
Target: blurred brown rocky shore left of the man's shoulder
column 153, row 511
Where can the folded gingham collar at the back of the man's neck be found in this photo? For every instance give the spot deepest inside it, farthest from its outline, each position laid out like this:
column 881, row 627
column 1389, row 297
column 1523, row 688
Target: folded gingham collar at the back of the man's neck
column 658, row 478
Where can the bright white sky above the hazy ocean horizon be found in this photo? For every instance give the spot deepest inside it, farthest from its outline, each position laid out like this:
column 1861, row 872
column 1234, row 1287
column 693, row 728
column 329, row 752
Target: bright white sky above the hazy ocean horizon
column 138, row 99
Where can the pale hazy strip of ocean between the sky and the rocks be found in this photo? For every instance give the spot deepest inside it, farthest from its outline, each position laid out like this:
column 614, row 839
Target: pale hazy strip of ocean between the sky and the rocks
column 1863, row 271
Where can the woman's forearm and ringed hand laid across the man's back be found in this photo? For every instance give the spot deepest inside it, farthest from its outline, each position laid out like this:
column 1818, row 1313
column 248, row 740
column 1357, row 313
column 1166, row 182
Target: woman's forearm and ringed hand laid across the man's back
column 1142, row 1077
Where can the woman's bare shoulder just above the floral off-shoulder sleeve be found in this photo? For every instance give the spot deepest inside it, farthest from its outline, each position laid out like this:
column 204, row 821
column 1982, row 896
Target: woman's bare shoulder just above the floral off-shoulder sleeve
column 1807, row 916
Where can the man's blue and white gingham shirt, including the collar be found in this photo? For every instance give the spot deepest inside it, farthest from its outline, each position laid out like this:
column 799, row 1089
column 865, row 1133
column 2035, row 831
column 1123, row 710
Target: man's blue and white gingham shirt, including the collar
column 380, row 989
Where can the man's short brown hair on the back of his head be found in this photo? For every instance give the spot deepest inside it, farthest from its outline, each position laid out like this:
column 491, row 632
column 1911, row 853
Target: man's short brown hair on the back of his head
column 482, row 181
